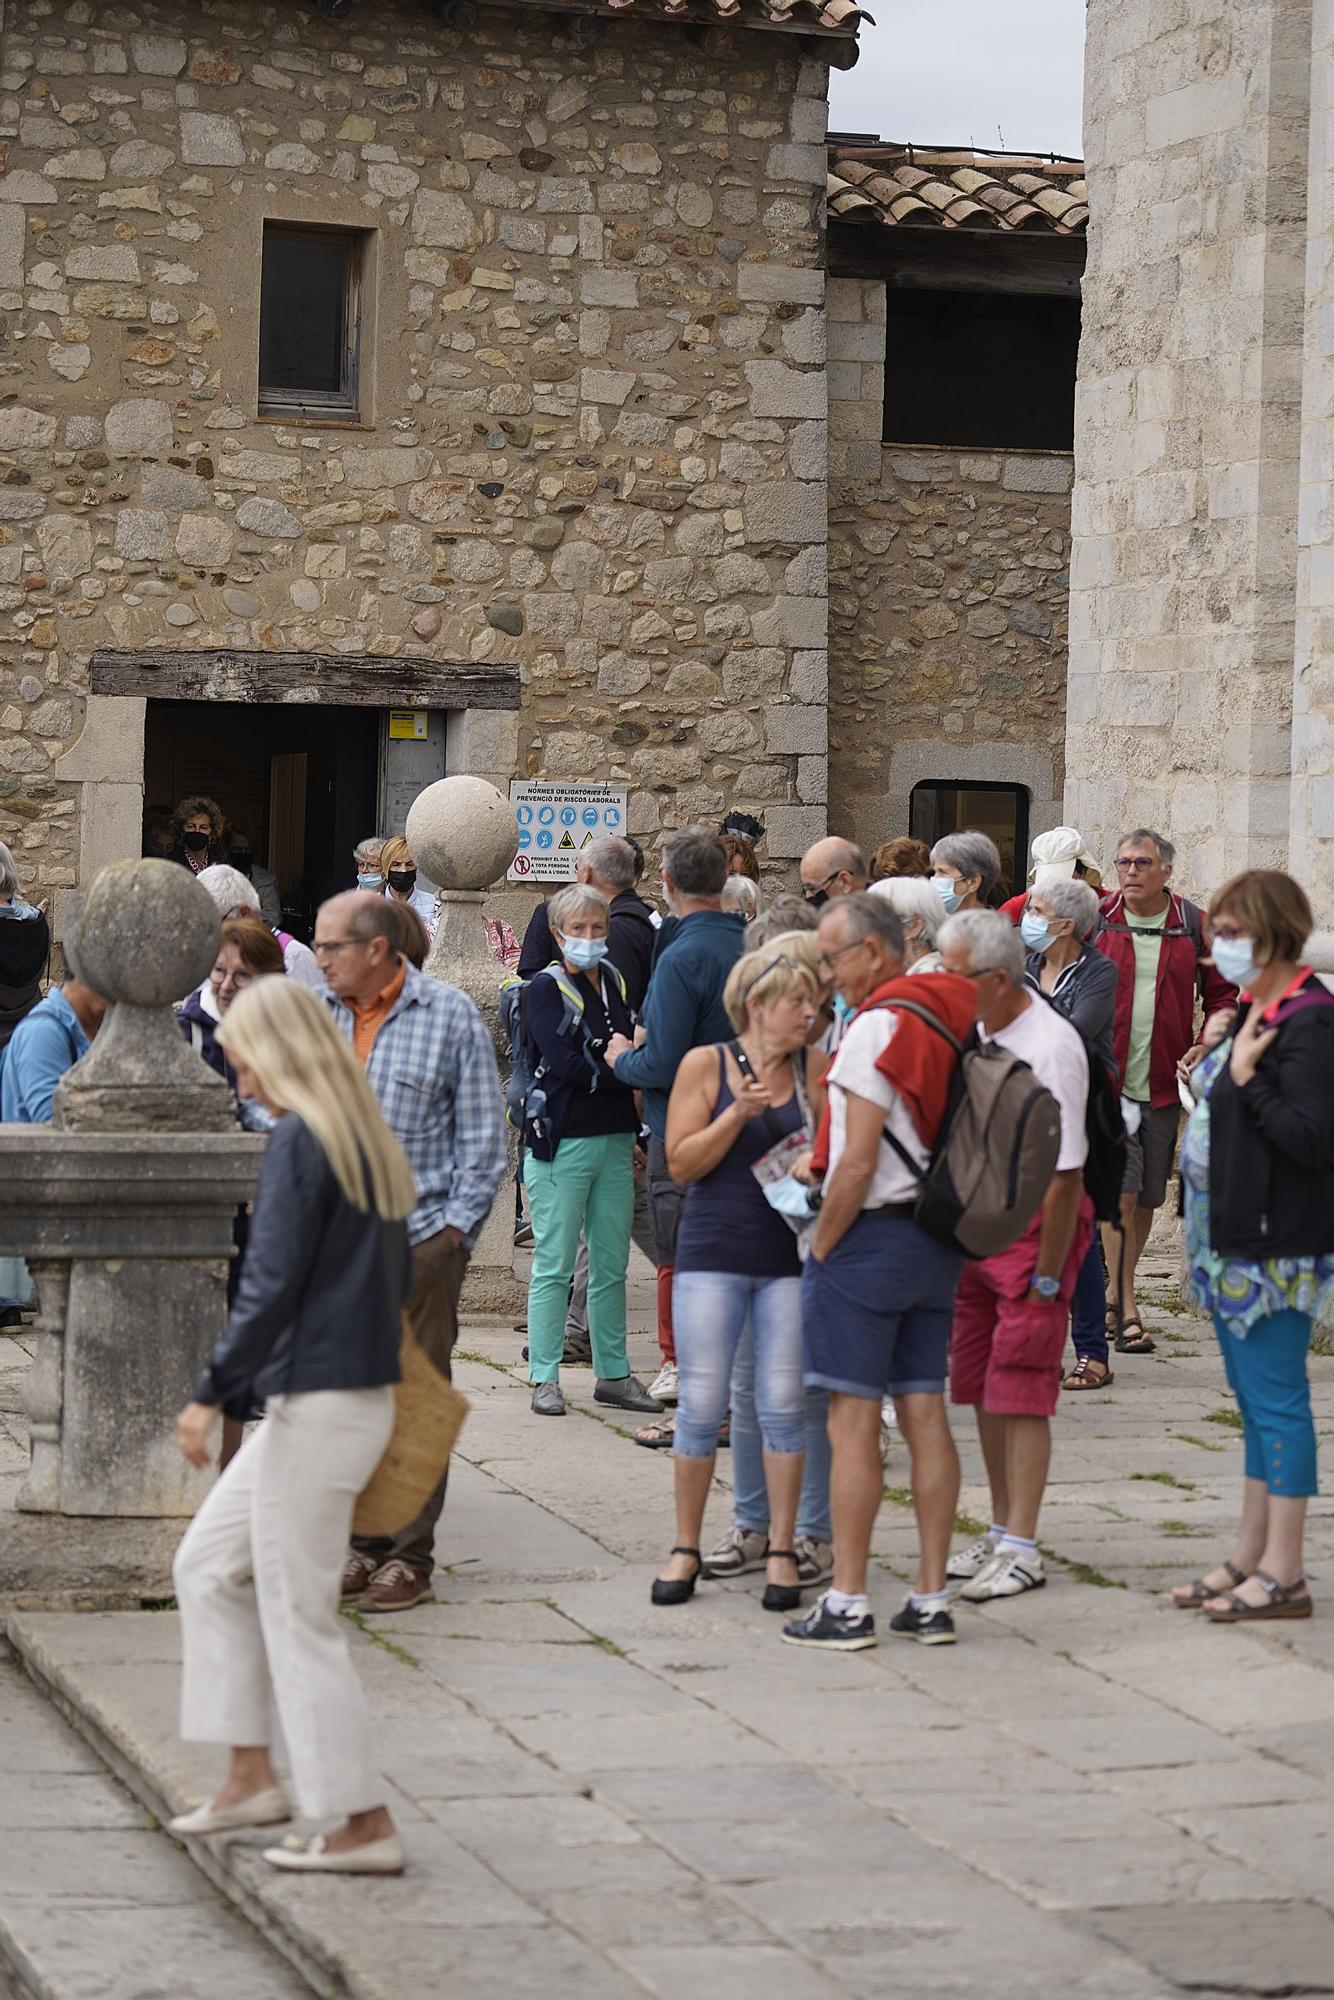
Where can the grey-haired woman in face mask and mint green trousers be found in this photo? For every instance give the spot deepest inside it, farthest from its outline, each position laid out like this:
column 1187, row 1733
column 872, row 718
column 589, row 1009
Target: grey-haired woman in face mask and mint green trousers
column 579, row 1127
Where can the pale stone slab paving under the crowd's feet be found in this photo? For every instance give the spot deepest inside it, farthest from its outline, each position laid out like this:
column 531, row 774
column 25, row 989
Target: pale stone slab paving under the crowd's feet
column 1091, row 1795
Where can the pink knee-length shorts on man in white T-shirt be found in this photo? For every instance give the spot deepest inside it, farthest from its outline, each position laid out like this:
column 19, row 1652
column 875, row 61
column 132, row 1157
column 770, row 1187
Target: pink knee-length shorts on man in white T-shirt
column 1007, row 1347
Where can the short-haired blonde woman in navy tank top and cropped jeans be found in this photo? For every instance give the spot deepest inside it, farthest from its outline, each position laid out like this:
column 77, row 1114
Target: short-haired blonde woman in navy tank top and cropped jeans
column 737, row 1111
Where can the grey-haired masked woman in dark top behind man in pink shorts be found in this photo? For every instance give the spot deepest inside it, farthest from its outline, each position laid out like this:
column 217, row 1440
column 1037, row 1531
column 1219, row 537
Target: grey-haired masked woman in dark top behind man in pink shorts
column 1065, row 967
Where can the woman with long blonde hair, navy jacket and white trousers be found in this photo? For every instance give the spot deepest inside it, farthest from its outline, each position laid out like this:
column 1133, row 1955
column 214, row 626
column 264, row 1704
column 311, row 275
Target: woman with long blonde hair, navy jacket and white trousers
column 315, row 1331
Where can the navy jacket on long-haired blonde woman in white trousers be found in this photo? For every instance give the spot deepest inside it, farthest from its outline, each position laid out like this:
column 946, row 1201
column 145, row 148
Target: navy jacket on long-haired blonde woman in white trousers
column 321, row 1291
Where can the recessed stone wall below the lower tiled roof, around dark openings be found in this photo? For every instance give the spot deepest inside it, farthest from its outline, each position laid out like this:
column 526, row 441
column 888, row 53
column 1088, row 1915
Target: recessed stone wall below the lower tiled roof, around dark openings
column 949, row 583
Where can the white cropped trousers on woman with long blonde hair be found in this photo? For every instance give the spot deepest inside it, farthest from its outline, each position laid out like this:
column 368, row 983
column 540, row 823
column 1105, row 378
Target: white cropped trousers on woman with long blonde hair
column 257, row 1581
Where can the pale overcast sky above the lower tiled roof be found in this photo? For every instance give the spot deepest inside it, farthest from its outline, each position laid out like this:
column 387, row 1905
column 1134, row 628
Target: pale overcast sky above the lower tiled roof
column 955, row 73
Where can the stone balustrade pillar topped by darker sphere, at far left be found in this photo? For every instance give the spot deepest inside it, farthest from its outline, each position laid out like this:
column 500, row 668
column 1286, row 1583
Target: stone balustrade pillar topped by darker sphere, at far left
column 125, row 1209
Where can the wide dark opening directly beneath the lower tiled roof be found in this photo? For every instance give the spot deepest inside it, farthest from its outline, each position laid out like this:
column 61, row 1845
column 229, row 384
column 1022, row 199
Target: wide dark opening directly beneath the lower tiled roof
column 981, row 369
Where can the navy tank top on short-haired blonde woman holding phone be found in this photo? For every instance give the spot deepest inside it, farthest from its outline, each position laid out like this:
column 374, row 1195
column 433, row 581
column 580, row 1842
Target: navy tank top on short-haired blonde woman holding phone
column 727, row 1225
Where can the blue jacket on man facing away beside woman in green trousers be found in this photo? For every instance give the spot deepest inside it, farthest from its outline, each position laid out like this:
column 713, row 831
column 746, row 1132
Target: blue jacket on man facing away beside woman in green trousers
column 685, row 1007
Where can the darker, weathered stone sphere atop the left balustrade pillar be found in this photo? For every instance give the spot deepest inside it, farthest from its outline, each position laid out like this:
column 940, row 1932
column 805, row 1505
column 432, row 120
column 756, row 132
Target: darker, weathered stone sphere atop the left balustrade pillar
column 147, row 933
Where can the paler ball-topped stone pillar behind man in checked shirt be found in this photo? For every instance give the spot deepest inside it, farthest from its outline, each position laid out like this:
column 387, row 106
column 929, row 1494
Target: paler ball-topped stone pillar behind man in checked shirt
column 465, row 837
